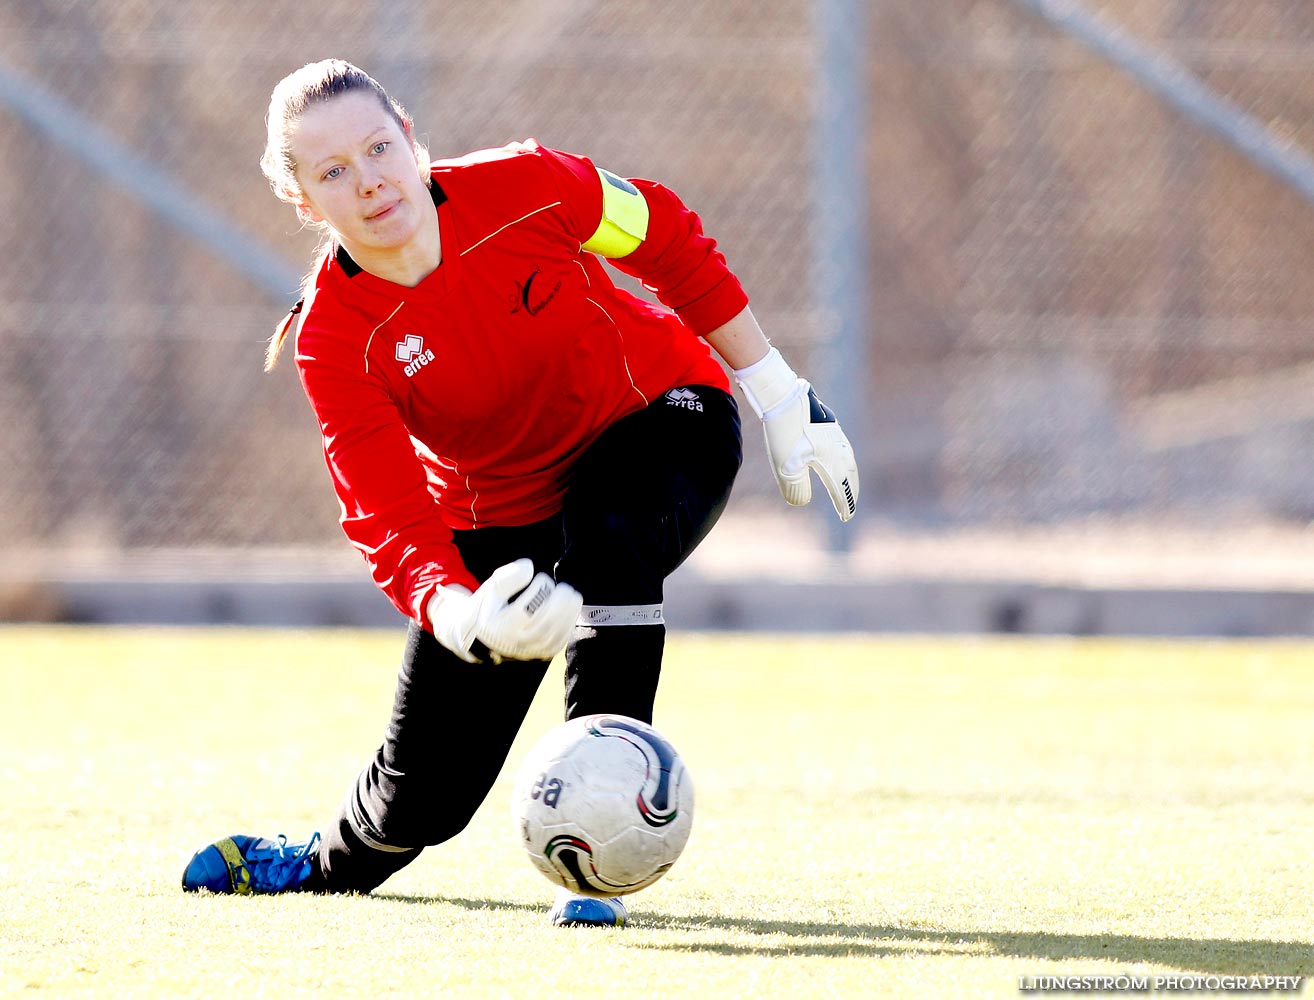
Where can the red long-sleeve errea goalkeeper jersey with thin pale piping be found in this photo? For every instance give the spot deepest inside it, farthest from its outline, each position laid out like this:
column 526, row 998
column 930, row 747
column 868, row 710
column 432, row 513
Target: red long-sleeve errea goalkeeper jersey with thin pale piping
column 464, row 401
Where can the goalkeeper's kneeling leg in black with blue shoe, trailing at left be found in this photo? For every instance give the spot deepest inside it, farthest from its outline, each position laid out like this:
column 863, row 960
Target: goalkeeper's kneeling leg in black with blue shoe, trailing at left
column 411, row 794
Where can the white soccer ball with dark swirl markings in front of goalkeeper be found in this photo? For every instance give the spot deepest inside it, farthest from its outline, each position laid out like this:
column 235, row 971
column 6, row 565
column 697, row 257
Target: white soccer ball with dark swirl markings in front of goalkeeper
column 604, row 806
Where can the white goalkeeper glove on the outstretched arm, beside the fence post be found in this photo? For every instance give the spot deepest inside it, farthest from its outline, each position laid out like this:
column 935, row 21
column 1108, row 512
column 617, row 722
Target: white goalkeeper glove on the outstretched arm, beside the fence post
column 802, row 433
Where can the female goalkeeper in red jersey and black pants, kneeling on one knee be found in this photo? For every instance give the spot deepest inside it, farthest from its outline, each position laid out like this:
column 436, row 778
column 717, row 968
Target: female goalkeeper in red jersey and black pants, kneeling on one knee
column 522, row 453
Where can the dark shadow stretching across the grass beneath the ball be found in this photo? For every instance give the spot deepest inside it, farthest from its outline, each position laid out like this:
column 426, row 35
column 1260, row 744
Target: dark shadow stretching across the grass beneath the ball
column 788, row 938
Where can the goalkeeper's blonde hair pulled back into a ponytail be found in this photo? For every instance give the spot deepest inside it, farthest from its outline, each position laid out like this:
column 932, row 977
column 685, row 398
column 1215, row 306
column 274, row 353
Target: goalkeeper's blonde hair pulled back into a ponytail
column 312, row 85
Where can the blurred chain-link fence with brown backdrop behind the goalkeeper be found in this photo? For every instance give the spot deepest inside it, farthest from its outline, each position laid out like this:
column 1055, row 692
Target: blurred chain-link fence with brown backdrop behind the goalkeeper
column 1086, row 308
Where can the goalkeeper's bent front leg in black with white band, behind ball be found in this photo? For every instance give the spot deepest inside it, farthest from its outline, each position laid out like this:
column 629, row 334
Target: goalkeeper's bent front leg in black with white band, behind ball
column 641, row 500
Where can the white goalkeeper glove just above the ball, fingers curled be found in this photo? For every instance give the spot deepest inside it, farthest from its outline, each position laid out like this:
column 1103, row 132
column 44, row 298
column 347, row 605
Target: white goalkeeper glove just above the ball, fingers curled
column 516, row 614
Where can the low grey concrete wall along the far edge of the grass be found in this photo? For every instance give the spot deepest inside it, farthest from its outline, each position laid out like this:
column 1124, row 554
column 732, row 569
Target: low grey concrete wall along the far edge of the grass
column 694, row 602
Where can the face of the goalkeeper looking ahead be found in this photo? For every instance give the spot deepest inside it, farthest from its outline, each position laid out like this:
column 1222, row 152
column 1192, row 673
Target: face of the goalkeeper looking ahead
column 358, row 173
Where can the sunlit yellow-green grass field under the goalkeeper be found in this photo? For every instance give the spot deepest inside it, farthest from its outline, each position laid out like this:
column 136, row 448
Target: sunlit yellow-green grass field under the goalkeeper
column 876, row 818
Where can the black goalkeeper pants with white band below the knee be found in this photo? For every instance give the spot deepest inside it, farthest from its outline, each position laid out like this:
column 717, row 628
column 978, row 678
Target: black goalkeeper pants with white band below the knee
column 639, row 501
